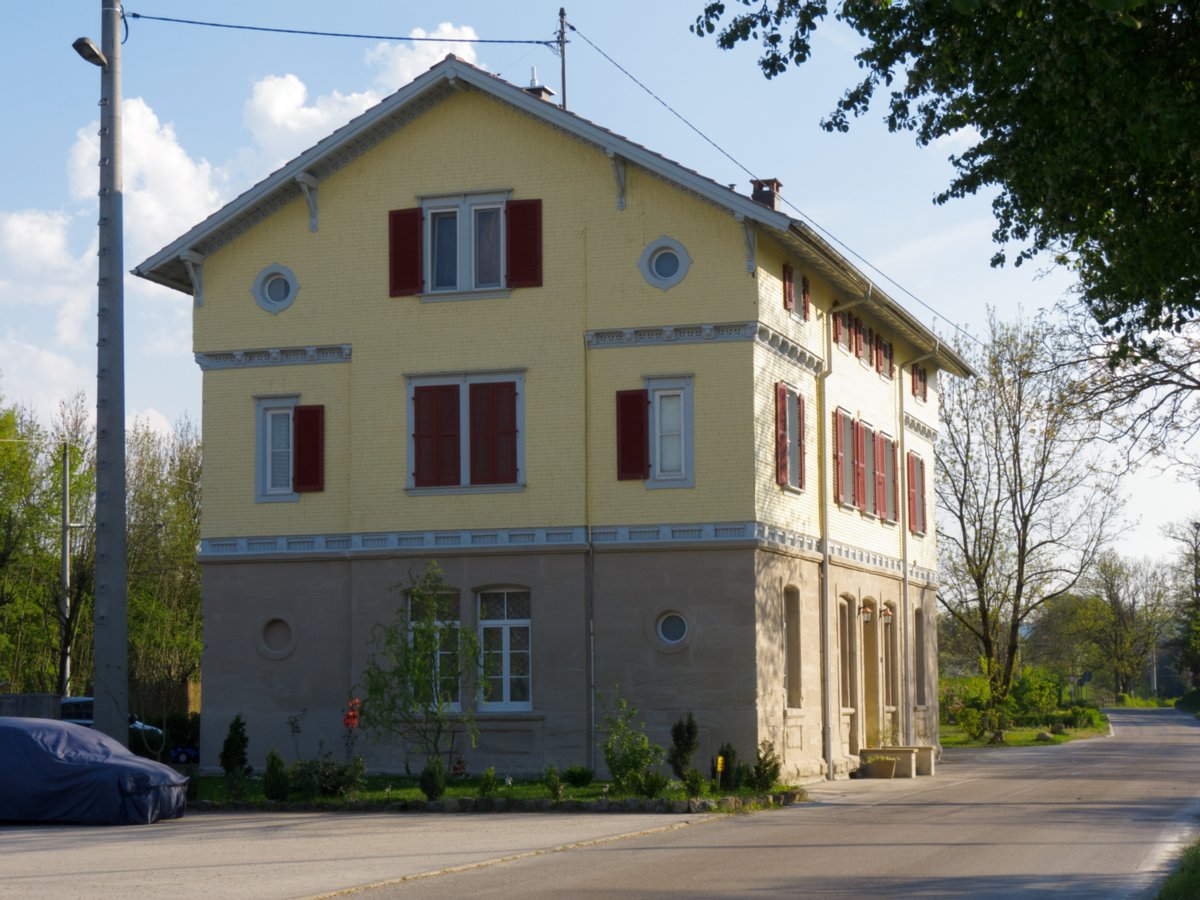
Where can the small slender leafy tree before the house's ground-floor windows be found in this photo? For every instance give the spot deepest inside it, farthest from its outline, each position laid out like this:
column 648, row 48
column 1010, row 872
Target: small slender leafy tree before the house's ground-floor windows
column 419, row 670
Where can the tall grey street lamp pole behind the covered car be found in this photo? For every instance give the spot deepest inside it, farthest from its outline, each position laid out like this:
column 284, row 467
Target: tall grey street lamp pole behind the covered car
column 111, row 687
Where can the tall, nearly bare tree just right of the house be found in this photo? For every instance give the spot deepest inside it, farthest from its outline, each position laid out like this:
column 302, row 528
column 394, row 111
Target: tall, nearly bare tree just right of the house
column 1024, row 495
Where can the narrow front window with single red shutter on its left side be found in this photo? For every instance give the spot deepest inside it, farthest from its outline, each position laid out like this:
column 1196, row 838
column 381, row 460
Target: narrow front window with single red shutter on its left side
column 655, row 434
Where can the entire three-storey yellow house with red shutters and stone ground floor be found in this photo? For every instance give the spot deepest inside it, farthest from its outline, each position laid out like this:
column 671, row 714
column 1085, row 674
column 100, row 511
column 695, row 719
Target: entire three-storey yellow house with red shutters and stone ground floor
column 657, row 434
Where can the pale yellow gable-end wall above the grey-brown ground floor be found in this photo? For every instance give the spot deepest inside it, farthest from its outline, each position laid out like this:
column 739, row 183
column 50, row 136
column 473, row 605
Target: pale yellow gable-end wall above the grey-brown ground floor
column 591, row 280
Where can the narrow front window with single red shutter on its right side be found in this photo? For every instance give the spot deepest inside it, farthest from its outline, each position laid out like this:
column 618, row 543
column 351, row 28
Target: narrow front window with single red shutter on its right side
column 291, row 458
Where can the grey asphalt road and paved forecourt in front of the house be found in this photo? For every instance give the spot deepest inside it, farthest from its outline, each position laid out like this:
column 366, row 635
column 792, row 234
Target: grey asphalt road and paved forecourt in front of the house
column 1096, row 819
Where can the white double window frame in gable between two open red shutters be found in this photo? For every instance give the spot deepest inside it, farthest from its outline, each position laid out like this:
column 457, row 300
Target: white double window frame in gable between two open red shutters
column 465, row 207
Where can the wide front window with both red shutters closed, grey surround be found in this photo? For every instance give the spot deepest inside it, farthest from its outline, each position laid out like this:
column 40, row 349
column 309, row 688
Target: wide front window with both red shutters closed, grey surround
column 466, row 431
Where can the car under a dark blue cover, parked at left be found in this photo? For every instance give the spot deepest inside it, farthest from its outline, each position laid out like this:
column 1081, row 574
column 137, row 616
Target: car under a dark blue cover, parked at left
column 58, row 772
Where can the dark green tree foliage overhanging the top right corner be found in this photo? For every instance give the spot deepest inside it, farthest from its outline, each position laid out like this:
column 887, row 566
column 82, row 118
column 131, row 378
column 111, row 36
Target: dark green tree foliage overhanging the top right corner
column 1087, row 116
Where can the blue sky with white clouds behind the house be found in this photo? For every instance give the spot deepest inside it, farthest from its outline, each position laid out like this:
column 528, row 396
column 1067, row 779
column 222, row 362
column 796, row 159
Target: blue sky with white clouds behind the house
column 211, row 111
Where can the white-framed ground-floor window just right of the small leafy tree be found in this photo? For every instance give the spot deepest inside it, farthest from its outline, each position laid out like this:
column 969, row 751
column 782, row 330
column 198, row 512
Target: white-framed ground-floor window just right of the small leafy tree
column 506, row 646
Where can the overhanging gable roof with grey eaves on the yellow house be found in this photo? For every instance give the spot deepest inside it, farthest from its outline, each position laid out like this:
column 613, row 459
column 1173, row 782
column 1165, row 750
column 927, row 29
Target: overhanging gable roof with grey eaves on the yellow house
column 170, row 266
